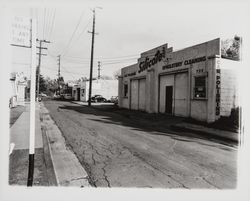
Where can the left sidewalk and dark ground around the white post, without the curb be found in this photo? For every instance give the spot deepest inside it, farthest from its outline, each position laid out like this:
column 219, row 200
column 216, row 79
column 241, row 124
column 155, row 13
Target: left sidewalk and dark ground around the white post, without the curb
column 18, row 159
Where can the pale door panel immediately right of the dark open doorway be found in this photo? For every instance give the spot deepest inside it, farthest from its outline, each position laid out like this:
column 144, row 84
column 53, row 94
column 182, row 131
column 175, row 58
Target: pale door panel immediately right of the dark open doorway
column 181, row 92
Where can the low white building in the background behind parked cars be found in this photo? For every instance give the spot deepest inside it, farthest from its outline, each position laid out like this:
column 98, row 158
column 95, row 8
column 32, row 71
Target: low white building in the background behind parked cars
column 104, row 87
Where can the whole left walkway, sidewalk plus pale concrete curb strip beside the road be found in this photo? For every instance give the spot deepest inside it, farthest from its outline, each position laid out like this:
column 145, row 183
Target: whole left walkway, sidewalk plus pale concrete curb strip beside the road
column 55, row 164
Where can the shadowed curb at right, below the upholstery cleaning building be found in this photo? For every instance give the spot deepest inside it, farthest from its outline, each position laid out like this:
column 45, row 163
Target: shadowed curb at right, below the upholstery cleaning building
column 206, row 133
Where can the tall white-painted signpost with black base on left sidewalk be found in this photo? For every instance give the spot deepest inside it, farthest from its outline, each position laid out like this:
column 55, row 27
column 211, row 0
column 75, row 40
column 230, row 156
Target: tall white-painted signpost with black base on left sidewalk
column 32, row 102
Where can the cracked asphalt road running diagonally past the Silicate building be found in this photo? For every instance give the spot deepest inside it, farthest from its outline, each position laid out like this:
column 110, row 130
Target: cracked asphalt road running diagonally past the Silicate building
column 117, row 150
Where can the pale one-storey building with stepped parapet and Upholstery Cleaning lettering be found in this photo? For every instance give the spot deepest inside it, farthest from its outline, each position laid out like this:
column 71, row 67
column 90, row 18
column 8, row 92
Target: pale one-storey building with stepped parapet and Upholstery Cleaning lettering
column 193, row 82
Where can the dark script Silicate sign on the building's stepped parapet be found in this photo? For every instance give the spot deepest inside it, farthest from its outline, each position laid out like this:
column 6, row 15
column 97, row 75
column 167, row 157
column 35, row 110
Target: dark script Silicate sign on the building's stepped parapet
column 147, row 63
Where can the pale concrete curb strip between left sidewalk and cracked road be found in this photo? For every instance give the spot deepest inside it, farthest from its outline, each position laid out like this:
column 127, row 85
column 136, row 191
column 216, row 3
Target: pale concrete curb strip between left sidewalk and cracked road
column 67, row 168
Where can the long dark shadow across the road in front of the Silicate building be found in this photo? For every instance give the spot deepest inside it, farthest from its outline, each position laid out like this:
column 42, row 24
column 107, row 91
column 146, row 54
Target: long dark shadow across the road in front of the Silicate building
column 153, row 124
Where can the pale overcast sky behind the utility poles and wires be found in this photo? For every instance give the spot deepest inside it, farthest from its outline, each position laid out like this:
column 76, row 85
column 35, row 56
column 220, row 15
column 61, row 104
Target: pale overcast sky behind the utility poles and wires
column 124, row 30
